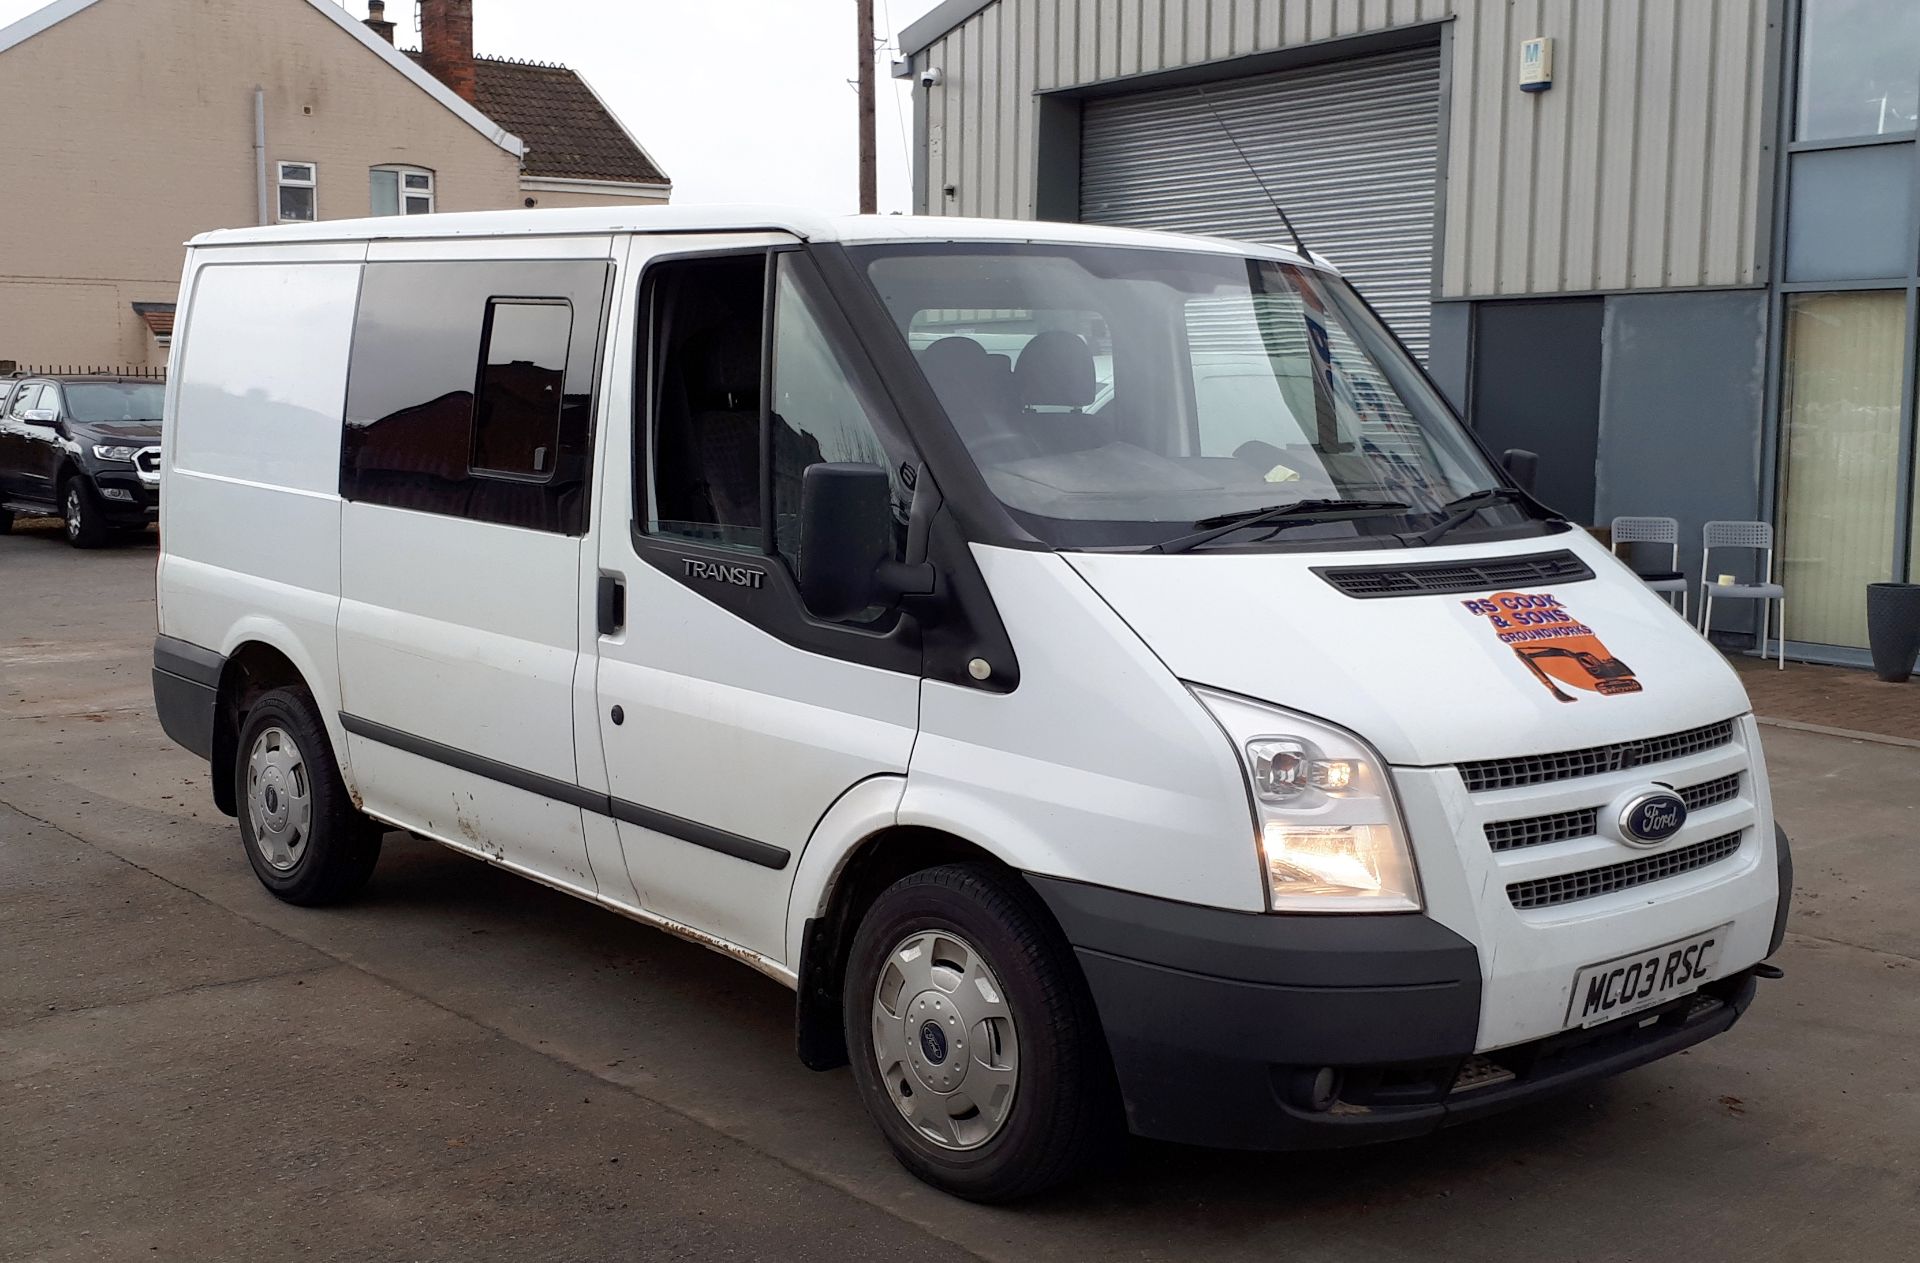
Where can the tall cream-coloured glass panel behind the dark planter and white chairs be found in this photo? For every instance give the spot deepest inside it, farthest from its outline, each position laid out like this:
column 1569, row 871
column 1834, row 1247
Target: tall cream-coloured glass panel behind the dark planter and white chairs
column 1840, row 458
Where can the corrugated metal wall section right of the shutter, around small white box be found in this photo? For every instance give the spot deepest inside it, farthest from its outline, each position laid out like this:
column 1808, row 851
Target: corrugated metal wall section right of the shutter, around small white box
column 1643, row 168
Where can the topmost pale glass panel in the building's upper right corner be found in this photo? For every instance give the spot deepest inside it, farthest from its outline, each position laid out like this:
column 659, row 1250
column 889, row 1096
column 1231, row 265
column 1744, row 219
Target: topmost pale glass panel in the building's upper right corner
column 1860, row 68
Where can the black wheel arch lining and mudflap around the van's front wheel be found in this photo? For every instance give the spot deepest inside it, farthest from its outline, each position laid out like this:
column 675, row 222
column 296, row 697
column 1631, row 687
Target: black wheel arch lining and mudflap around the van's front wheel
column 827, row 945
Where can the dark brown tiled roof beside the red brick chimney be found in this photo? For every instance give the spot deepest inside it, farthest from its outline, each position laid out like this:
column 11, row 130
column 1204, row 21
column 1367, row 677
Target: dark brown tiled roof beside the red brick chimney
column 569, row 135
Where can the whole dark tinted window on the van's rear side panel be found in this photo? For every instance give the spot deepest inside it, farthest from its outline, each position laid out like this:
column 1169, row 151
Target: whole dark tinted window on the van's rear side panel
column 471, row 391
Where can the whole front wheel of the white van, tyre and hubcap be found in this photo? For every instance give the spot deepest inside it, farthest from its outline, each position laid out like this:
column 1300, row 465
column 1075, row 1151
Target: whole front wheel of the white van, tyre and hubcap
column 972, row 1039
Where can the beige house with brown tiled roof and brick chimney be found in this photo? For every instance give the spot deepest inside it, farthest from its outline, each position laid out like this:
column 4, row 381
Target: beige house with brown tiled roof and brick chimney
column 133, row 126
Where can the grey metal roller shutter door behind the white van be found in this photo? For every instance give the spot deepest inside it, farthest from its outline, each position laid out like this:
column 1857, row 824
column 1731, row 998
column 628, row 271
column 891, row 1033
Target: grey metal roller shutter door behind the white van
column 1349, row 149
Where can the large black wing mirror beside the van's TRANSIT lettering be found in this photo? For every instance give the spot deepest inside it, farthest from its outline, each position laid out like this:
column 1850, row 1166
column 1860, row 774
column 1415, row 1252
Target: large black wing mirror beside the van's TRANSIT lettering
column 846, row 558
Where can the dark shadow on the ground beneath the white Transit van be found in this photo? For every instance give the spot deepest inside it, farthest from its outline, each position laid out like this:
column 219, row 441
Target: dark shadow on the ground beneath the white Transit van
column 727, row 1034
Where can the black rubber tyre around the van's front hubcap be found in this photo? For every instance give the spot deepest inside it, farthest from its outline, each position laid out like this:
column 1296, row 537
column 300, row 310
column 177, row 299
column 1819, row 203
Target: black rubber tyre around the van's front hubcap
column 1065, row 1108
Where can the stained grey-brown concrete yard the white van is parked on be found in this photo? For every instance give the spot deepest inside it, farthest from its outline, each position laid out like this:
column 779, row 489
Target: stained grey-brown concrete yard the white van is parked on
column 454, row 1064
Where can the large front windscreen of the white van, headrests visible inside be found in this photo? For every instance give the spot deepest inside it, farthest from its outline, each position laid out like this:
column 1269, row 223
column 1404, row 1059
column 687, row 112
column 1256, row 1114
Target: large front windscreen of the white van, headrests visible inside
column 1122, row 396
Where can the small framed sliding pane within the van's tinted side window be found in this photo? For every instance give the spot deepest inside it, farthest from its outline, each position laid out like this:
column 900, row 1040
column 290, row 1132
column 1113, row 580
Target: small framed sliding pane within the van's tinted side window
column 523, row 375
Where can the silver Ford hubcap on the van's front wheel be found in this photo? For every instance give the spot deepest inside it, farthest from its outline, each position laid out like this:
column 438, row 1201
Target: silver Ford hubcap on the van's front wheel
column 944, row 1037
